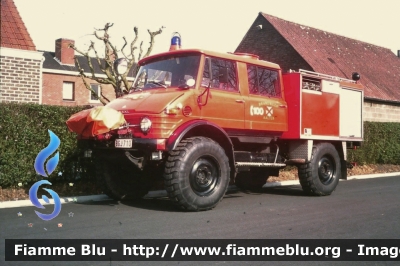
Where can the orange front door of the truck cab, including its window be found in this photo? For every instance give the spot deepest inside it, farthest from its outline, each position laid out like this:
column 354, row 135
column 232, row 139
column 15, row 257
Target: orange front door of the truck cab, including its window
column 219, row 98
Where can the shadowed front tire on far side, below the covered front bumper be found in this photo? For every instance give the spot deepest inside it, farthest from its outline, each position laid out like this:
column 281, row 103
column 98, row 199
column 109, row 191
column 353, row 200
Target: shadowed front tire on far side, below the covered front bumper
column 122, row 180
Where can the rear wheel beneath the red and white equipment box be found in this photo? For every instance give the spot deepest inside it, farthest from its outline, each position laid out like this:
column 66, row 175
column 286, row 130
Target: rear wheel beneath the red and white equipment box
column 321, row 175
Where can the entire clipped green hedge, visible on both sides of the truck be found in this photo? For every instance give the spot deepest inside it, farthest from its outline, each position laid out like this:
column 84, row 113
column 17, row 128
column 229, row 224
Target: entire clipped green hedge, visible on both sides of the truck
column 24, row 133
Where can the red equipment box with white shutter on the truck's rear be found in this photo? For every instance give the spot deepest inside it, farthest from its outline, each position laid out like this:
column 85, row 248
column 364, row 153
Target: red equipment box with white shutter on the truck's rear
column 323, row 107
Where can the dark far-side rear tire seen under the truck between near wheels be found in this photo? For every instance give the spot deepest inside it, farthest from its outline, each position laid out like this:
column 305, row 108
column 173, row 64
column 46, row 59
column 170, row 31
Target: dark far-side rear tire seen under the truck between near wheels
column 252, row 180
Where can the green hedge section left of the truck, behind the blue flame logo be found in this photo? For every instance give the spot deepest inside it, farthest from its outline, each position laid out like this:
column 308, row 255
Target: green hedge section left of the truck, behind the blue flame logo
column 24, row 133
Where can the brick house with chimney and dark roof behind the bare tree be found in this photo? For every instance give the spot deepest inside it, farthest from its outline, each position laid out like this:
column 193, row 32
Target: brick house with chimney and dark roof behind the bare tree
column 62, row 84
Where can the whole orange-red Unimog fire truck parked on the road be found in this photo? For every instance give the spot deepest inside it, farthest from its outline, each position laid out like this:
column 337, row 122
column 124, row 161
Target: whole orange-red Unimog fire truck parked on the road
column 199, row 120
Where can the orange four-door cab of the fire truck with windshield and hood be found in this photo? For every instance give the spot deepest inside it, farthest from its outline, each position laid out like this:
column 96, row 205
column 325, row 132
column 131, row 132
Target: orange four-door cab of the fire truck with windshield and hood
column 185, row 85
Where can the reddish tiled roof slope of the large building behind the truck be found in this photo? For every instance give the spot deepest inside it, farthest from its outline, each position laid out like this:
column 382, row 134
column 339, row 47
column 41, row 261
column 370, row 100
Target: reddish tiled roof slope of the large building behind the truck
column 336, row 55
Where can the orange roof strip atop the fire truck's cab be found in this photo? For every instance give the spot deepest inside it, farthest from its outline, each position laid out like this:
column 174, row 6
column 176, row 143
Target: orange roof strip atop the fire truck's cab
column 241, row 57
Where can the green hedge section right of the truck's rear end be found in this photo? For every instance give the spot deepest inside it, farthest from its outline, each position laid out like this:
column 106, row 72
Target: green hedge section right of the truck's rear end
column 381, row 144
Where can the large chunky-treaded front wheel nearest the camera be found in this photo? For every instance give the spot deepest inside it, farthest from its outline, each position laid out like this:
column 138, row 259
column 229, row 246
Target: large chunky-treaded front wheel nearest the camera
column 197, row 174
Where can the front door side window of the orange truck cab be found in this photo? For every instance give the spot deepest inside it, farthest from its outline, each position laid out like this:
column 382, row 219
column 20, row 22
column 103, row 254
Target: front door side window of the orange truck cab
column 214, row 68
